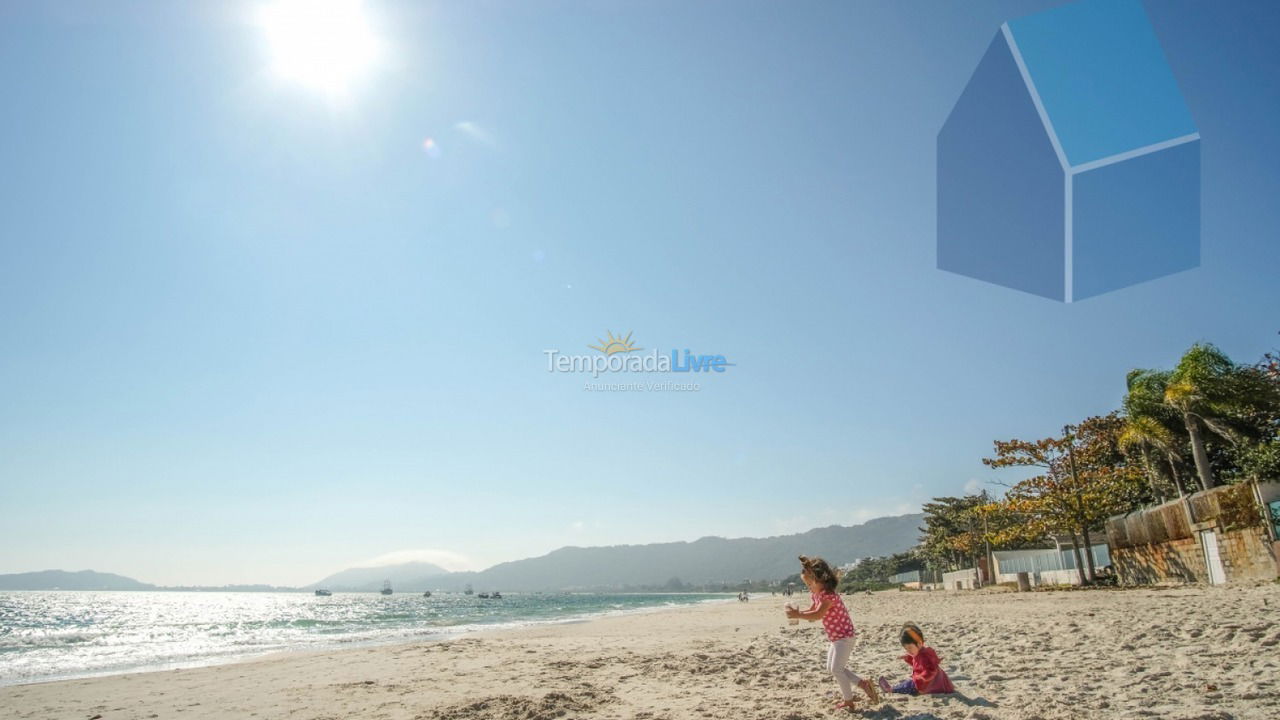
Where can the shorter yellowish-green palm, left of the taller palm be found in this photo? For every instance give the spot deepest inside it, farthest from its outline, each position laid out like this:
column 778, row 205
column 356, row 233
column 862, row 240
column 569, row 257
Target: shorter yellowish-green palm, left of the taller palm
column 1154, row 429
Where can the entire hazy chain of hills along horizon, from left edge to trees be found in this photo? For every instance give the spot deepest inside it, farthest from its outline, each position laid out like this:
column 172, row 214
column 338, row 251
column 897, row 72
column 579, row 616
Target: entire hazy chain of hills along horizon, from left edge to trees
column 707, row 564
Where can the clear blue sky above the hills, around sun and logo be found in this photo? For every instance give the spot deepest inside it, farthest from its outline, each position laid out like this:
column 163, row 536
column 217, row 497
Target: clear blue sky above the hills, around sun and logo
column 258, row 331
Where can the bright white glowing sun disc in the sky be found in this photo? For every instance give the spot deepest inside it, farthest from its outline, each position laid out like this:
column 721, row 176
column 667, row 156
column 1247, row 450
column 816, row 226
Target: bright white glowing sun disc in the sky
column 321, row 44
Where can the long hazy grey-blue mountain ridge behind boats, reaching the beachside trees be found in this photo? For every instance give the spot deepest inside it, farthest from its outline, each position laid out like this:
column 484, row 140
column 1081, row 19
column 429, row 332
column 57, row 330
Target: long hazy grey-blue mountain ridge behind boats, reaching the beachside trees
column 711, row 560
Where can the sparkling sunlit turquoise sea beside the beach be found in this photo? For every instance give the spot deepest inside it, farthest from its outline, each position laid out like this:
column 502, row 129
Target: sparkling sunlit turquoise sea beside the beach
column 51, row 636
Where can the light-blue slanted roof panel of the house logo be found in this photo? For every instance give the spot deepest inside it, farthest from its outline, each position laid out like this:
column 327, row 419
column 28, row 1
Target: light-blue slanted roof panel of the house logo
column 1101, row 78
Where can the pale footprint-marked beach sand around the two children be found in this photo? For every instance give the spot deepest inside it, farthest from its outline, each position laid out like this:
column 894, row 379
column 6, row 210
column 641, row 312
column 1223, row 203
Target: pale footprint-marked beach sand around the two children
column 1181, row 654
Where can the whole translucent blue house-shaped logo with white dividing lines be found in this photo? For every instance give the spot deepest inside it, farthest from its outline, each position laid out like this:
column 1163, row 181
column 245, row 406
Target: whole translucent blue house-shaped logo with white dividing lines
column 1071, row 165
